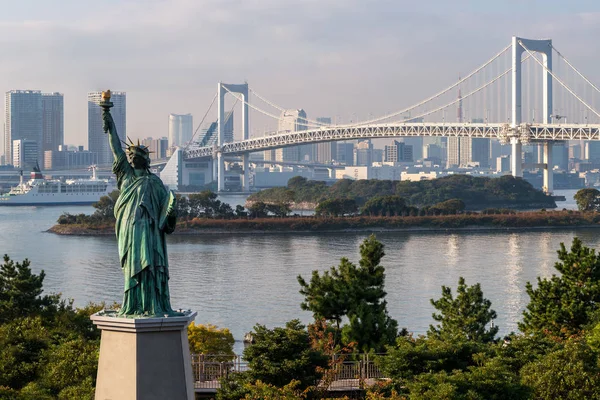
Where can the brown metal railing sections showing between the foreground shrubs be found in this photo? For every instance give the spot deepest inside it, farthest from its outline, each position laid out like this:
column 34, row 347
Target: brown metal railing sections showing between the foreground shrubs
column 347, row 373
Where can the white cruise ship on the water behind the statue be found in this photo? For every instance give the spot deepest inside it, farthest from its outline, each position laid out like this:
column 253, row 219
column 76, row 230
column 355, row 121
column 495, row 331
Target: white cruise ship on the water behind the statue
column 45, row 192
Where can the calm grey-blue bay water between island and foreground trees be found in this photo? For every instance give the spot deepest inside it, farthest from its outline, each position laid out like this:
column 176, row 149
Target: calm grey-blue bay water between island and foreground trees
column 235, row 281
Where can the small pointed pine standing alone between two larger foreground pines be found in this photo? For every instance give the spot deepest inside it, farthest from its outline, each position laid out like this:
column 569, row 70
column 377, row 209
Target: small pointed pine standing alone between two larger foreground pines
column 464, row 317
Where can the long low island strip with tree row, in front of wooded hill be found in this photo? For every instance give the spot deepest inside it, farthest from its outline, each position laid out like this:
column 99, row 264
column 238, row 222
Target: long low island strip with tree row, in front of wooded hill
column 203, row 213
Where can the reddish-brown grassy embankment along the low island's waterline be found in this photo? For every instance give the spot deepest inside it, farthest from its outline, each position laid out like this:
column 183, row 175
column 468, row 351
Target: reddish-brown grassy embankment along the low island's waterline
column 522, row 220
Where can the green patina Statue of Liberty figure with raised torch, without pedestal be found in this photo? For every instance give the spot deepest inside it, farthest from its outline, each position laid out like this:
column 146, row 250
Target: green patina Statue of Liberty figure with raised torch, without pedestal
column 145, row 213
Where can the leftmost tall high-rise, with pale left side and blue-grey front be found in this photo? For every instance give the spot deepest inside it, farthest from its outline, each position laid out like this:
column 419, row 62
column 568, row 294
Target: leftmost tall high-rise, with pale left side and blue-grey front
column 23, row 120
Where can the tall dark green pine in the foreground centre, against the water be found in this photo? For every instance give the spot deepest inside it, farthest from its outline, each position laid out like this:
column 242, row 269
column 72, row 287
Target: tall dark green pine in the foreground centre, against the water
column 357, row 293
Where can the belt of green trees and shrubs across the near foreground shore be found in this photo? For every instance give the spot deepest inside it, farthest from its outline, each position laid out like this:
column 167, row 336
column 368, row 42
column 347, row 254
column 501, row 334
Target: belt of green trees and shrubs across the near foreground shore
column 49, row 349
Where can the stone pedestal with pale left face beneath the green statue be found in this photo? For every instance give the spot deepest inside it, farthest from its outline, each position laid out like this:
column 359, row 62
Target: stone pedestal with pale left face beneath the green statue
column 144, row 358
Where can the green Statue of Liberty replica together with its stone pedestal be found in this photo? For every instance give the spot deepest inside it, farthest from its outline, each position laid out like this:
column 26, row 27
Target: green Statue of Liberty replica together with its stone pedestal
column 144, row 349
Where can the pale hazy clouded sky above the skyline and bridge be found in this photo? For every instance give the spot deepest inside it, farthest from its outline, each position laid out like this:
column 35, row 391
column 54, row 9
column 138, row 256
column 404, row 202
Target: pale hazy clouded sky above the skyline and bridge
column 341, row 58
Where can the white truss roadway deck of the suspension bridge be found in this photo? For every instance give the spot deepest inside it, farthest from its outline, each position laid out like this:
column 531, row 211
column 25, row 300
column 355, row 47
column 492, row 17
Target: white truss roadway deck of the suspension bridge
column 524, row 133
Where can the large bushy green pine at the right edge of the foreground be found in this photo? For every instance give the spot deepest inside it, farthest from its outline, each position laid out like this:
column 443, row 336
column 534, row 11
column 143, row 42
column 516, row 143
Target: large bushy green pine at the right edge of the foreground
column 563, row 306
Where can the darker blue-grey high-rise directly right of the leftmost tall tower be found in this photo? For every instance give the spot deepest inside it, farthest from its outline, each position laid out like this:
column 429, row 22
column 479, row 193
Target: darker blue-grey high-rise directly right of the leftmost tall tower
column 53, row 133
